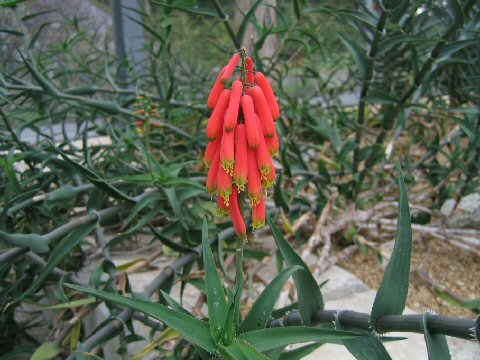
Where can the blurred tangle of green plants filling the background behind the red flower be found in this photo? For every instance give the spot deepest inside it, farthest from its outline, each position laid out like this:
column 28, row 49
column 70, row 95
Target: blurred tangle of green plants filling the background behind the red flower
column 361, row 84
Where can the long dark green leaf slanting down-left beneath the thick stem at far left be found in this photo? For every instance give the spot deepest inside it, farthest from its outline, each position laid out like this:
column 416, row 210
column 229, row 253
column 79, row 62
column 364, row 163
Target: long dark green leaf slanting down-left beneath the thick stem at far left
column 57, row 255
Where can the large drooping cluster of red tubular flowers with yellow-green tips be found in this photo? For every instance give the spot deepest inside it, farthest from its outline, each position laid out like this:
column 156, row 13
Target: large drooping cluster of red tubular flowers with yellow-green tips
column 243, row 139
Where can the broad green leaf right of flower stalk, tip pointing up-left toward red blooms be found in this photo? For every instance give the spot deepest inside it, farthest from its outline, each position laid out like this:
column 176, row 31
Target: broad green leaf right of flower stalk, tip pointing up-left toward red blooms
column 309, row 296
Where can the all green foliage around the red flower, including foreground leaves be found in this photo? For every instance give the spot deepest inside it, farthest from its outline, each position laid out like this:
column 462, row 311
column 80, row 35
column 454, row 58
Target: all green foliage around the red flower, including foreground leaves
column 352, row 83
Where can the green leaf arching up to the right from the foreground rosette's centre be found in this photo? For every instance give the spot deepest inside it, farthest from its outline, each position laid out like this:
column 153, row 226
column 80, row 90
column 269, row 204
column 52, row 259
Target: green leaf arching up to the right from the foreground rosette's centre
column 261, row 311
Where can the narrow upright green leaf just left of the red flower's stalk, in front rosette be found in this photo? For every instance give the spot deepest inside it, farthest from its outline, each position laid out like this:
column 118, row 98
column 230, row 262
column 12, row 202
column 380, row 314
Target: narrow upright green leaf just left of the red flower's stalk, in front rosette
column 217, row 304
